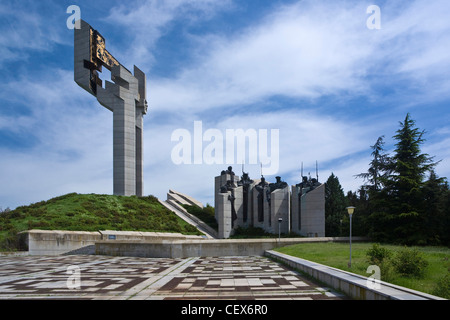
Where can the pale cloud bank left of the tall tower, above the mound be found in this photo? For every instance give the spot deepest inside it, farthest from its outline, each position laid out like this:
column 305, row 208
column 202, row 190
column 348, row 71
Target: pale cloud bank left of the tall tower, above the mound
column 71, row 149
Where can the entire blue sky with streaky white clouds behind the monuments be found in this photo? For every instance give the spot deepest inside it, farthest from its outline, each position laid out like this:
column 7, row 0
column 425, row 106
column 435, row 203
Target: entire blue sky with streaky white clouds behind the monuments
column 311, row 69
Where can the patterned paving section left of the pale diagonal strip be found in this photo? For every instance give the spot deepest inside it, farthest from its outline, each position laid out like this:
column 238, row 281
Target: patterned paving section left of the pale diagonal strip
column 44, row 276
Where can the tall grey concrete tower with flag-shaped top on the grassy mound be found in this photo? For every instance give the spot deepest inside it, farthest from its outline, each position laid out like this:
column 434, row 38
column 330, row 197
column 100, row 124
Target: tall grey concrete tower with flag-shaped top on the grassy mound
column 125, row 97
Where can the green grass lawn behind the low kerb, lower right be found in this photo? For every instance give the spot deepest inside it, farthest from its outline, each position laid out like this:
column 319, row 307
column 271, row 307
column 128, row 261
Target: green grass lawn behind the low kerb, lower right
column 337, row 255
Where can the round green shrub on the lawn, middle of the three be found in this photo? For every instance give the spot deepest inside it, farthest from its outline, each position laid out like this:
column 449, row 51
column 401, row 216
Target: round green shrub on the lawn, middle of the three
column 410, row 263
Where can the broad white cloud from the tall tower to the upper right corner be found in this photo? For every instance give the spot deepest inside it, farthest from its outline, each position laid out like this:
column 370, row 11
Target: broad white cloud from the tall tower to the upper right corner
column 312, row 49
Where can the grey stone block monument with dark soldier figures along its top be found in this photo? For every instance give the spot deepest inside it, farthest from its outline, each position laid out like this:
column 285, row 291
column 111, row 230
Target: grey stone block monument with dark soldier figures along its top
column 274, row 207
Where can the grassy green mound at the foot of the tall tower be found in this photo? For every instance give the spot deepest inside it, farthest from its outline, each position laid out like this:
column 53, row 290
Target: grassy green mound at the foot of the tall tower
column 91, row 212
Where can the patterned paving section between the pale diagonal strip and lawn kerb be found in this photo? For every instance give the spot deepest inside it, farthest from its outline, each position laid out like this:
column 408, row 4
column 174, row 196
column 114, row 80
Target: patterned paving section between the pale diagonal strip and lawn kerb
column 241, row 278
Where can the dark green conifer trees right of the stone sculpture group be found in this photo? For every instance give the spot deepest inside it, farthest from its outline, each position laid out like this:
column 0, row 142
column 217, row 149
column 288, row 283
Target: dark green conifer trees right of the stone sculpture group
column 402, row 199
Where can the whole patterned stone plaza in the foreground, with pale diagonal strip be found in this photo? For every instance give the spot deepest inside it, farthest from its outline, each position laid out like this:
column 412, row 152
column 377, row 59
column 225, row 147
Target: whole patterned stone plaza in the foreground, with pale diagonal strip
column 101, row 277
